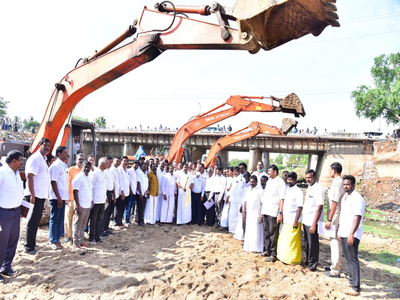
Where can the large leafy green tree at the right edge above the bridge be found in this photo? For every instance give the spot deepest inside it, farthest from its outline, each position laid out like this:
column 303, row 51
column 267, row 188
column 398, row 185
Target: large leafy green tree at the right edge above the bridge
column 384, row 98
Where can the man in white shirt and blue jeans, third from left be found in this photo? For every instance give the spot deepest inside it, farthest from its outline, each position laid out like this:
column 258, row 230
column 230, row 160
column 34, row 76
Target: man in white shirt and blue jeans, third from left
column 58, row 196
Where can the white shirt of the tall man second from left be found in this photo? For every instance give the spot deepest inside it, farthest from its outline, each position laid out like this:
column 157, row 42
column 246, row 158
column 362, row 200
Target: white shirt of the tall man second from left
column 36, row 165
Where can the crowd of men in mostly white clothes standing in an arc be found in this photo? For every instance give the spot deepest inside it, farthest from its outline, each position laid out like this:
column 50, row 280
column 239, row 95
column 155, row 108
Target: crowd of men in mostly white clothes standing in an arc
column 261, row 209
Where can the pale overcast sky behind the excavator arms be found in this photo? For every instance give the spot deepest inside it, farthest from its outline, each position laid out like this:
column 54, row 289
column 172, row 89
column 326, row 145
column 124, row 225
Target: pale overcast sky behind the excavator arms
column 42, row 40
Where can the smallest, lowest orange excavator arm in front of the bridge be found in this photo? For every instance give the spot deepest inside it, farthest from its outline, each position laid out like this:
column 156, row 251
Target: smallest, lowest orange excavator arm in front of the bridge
column 243, row 134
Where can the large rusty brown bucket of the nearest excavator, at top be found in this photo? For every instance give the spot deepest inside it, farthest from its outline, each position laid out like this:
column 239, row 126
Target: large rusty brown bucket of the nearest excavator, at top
column 276, row 22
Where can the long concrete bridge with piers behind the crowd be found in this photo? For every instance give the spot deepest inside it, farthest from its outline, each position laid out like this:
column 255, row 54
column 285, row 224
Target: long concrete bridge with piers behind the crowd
column 351, row 152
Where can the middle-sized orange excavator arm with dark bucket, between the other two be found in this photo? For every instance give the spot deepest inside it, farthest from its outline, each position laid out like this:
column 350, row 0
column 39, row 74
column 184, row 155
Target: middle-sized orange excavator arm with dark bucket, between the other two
column 290, row 104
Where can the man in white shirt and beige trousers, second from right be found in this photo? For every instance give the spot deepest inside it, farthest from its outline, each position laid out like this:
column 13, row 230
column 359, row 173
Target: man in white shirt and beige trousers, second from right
column 335, row 195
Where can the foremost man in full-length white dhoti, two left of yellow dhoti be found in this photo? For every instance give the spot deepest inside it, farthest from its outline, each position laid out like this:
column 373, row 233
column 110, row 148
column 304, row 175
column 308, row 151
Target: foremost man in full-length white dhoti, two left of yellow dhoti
column 253, row 240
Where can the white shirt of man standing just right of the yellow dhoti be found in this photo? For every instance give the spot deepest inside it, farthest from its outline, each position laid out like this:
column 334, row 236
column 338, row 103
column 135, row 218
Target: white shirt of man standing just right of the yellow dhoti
column 315, row 196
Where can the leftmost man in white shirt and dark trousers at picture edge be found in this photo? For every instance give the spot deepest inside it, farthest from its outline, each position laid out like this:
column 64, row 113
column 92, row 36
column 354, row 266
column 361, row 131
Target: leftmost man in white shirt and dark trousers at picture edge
column 11, row 194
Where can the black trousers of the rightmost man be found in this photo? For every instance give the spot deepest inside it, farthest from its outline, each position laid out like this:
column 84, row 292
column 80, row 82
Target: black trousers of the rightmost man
column 351, row 255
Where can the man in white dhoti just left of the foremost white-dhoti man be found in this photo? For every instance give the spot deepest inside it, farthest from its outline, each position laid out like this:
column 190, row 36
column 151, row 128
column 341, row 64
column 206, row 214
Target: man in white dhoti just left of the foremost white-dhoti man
column 234, row 198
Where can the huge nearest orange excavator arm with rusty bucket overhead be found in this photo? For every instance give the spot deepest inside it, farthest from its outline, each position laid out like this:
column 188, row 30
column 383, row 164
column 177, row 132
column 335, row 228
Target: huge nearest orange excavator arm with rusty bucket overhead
column 263, row 24
